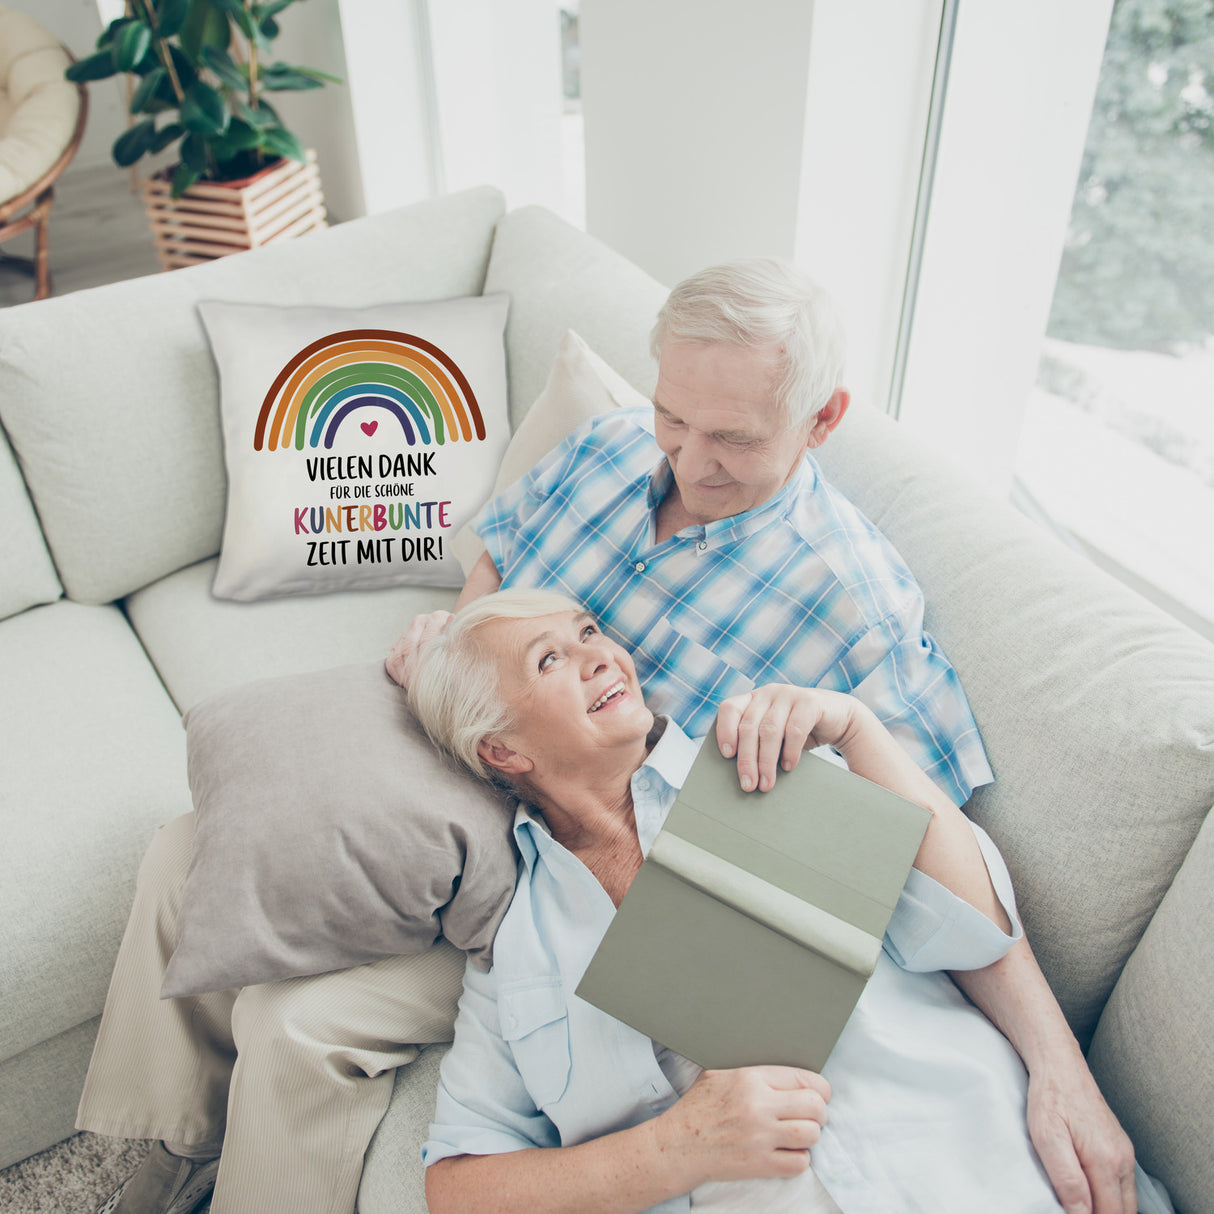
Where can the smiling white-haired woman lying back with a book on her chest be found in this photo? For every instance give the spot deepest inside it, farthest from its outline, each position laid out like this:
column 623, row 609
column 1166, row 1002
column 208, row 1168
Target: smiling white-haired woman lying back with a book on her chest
column 548, row 1104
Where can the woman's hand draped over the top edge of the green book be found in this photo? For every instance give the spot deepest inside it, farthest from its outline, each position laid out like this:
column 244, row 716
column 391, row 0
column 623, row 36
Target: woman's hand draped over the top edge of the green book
column 771, row 727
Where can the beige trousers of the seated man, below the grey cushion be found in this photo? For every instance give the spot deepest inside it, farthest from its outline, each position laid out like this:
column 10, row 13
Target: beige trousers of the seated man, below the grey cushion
column 293, row 1076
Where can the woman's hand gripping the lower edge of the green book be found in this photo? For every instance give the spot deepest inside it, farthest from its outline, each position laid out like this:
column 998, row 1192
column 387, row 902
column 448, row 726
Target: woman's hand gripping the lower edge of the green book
column 757, row 1121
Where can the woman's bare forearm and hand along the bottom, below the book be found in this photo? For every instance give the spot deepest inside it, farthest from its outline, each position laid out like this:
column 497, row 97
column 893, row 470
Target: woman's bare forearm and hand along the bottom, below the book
column 729, row 1126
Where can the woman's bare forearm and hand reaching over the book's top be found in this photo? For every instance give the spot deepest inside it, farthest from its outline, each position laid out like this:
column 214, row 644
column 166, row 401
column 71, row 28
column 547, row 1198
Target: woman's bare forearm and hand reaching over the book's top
column 770, row 728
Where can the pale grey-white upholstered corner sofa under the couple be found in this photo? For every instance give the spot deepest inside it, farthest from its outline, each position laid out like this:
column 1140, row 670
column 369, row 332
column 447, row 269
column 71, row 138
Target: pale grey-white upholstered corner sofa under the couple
column 1097, row 711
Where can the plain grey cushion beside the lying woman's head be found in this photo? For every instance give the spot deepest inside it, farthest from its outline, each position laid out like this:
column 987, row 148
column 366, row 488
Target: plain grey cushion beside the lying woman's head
column 331, row 833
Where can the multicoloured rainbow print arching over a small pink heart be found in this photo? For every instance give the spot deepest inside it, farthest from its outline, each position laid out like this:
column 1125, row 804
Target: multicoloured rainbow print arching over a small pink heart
column 339, row 376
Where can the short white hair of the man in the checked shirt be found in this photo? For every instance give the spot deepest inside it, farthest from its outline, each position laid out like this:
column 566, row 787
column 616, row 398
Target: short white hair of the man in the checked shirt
column 761, row 304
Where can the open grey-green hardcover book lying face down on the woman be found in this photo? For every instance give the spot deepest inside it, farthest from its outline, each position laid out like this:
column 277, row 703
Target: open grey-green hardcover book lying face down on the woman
column 756, row 921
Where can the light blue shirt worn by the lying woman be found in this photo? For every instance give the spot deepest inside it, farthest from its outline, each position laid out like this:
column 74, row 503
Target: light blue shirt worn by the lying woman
column 928, row 1107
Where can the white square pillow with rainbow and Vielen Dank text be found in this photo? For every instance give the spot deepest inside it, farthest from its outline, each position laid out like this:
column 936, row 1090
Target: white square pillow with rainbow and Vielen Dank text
column 358, row 441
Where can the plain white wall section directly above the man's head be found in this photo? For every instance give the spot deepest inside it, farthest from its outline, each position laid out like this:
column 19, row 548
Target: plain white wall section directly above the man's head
column 695, row 123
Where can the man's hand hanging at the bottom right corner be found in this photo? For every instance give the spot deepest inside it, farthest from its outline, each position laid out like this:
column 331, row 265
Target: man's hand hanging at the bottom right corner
column 1086, row 1153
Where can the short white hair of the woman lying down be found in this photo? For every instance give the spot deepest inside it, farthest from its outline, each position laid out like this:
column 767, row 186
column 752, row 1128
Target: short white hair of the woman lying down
column 455, row 691
